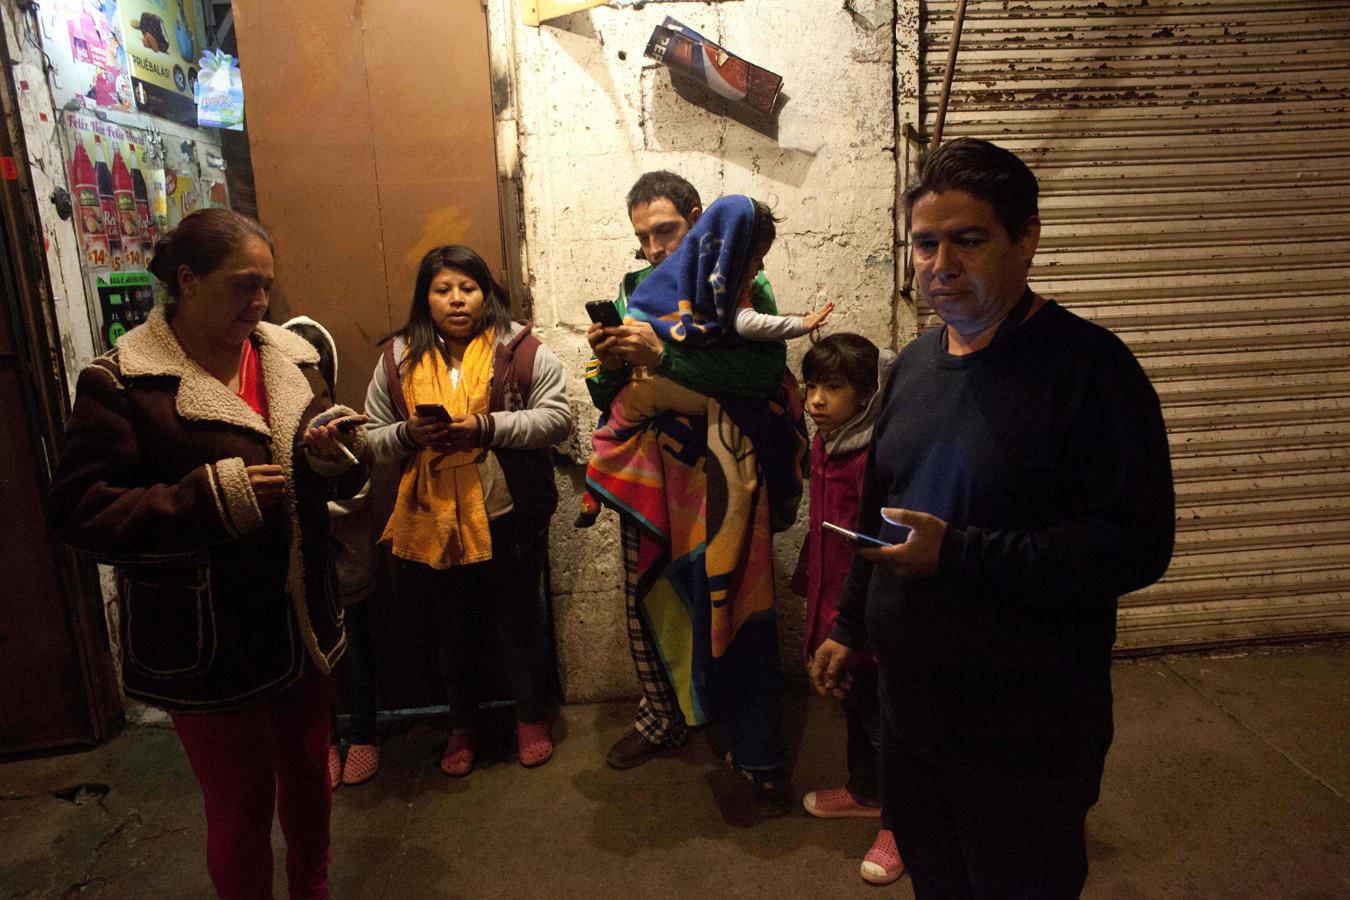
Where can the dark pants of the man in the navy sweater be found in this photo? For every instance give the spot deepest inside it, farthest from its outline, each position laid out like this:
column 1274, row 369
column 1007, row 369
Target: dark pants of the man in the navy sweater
column 971, row 837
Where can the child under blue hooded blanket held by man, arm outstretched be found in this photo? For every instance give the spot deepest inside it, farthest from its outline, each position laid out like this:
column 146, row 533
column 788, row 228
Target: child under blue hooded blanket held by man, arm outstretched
column 700, row 296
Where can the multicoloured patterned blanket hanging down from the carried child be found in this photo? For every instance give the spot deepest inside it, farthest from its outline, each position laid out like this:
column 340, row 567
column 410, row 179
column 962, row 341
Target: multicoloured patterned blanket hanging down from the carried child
column 708, row 500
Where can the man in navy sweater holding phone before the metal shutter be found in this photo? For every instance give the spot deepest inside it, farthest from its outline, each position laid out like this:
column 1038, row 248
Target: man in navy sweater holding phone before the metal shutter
column 1021, row 466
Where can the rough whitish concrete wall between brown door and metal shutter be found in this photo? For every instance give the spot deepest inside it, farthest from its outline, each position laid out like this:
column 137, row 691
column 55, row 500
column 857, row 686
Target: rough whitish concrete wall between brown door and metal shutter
column 588, row 115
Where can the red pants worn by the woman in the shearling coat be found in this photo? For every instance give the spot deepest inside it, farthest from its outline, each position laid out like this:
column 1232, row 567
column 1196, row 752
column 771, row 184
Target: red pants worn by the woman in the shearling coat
column 275, row 751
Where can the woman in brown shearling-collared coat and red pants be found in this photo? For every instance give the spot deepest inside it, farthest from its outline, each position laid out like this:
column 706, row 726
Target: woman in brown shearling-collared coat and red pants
column 199, row 461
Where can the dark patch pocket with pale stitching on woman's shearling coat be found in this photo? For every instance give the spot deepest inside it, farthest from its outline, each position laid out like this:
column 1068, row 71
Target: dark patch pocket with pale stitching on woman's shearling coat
column 168, row 620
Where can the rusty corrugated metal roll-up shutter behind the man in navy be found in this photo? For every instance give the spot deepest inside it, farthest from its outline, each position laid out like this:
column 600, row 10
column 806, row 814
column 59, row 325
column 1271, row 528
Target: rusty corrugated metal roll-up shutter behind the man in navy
column 1195, row 169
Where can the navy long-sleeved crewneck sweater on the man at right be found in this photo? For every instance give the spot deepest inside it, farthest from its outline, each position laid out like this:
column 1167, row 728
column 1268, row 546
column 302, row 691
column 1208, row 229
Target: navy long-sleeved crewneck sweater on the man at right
column 1047, row 455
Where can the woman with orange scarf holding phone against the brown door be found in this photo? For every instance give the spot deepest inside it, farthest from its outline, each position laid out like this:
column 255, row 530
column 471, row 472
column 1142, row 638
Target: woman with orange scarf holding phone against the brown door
column 470, row 403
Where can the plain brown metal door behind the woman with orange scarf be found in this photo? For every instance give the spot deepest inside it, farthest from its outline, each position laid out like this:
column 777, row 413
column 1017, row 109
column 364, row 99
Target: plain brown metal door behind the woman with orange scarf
column 371, row 129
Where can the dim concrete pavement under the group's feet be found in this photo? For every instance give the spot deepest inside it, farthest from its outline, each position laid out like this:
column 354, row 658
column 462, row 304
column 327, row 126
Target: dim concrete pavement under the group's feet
column 1229, row 778
